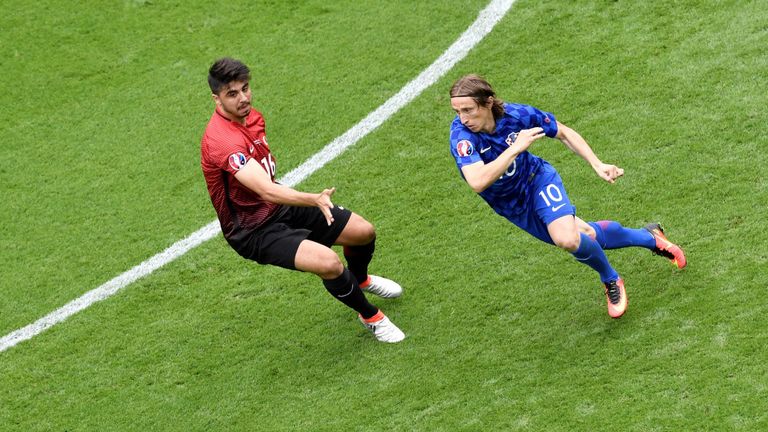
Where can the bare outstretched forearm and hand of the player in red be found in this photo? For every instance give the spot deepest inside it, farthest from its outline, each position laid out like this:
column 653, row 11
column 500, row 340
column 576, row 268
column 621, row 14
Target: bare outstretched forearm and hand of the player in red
column 253, row 176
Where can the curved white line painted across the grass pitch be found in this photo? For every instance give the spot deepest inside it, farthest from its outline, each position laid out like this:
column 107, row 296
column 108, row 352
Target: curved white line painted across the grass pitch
column 486, row 20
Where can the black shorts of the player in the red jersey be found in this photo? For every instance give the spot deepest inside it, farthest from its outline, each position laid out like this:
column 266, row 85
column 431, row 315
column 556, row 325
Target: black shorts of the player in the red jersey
column 277, row 241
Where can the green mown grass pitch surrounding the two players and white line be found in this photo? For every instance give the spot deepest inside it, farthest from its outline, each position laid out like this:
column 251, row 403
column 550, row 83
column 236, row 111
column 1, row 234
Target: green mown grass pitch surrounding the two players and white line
column 101, row 111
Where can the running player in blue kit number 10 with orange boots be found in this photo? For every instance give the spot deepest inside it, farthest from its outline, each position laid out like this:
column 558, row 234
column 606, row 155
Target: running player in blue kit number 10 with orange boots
column 490, row 140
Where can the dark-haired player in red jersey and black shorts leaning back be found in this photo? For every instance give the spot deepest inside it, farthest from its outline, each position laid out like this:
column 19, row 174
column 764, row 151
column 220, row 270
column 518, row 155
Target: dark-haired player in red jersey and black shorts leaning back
column 274, row 224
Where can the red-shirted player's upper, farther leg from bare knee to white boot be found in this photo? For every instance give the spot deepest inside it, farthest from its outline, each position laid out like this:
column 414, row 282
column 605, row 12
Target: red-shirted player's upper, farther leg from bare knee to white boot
column 359, row 241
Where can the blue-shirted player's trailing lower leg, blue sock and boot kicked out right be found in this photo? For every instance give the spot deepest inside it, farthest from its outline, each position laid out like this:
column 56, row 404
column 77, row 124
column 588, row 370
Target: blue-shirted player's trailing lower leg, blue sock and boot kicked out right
column 612, row 235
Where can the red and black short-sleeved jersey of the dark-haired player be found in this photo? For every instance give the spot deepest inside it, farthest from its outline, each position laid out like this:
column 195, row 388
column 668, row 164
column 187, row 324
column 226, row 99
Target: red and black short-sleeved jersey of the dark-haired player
column 225, row 148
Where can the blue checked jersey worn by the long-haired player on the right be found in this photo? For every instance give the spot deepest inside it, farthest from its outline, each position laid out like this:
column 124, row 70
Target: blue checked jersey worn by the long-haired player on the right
column 508, row 194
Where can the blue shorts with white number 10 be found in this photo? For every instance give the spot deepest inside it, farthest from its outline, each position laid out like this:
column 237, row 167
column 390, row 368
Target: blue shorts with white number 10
column 546, row 201
